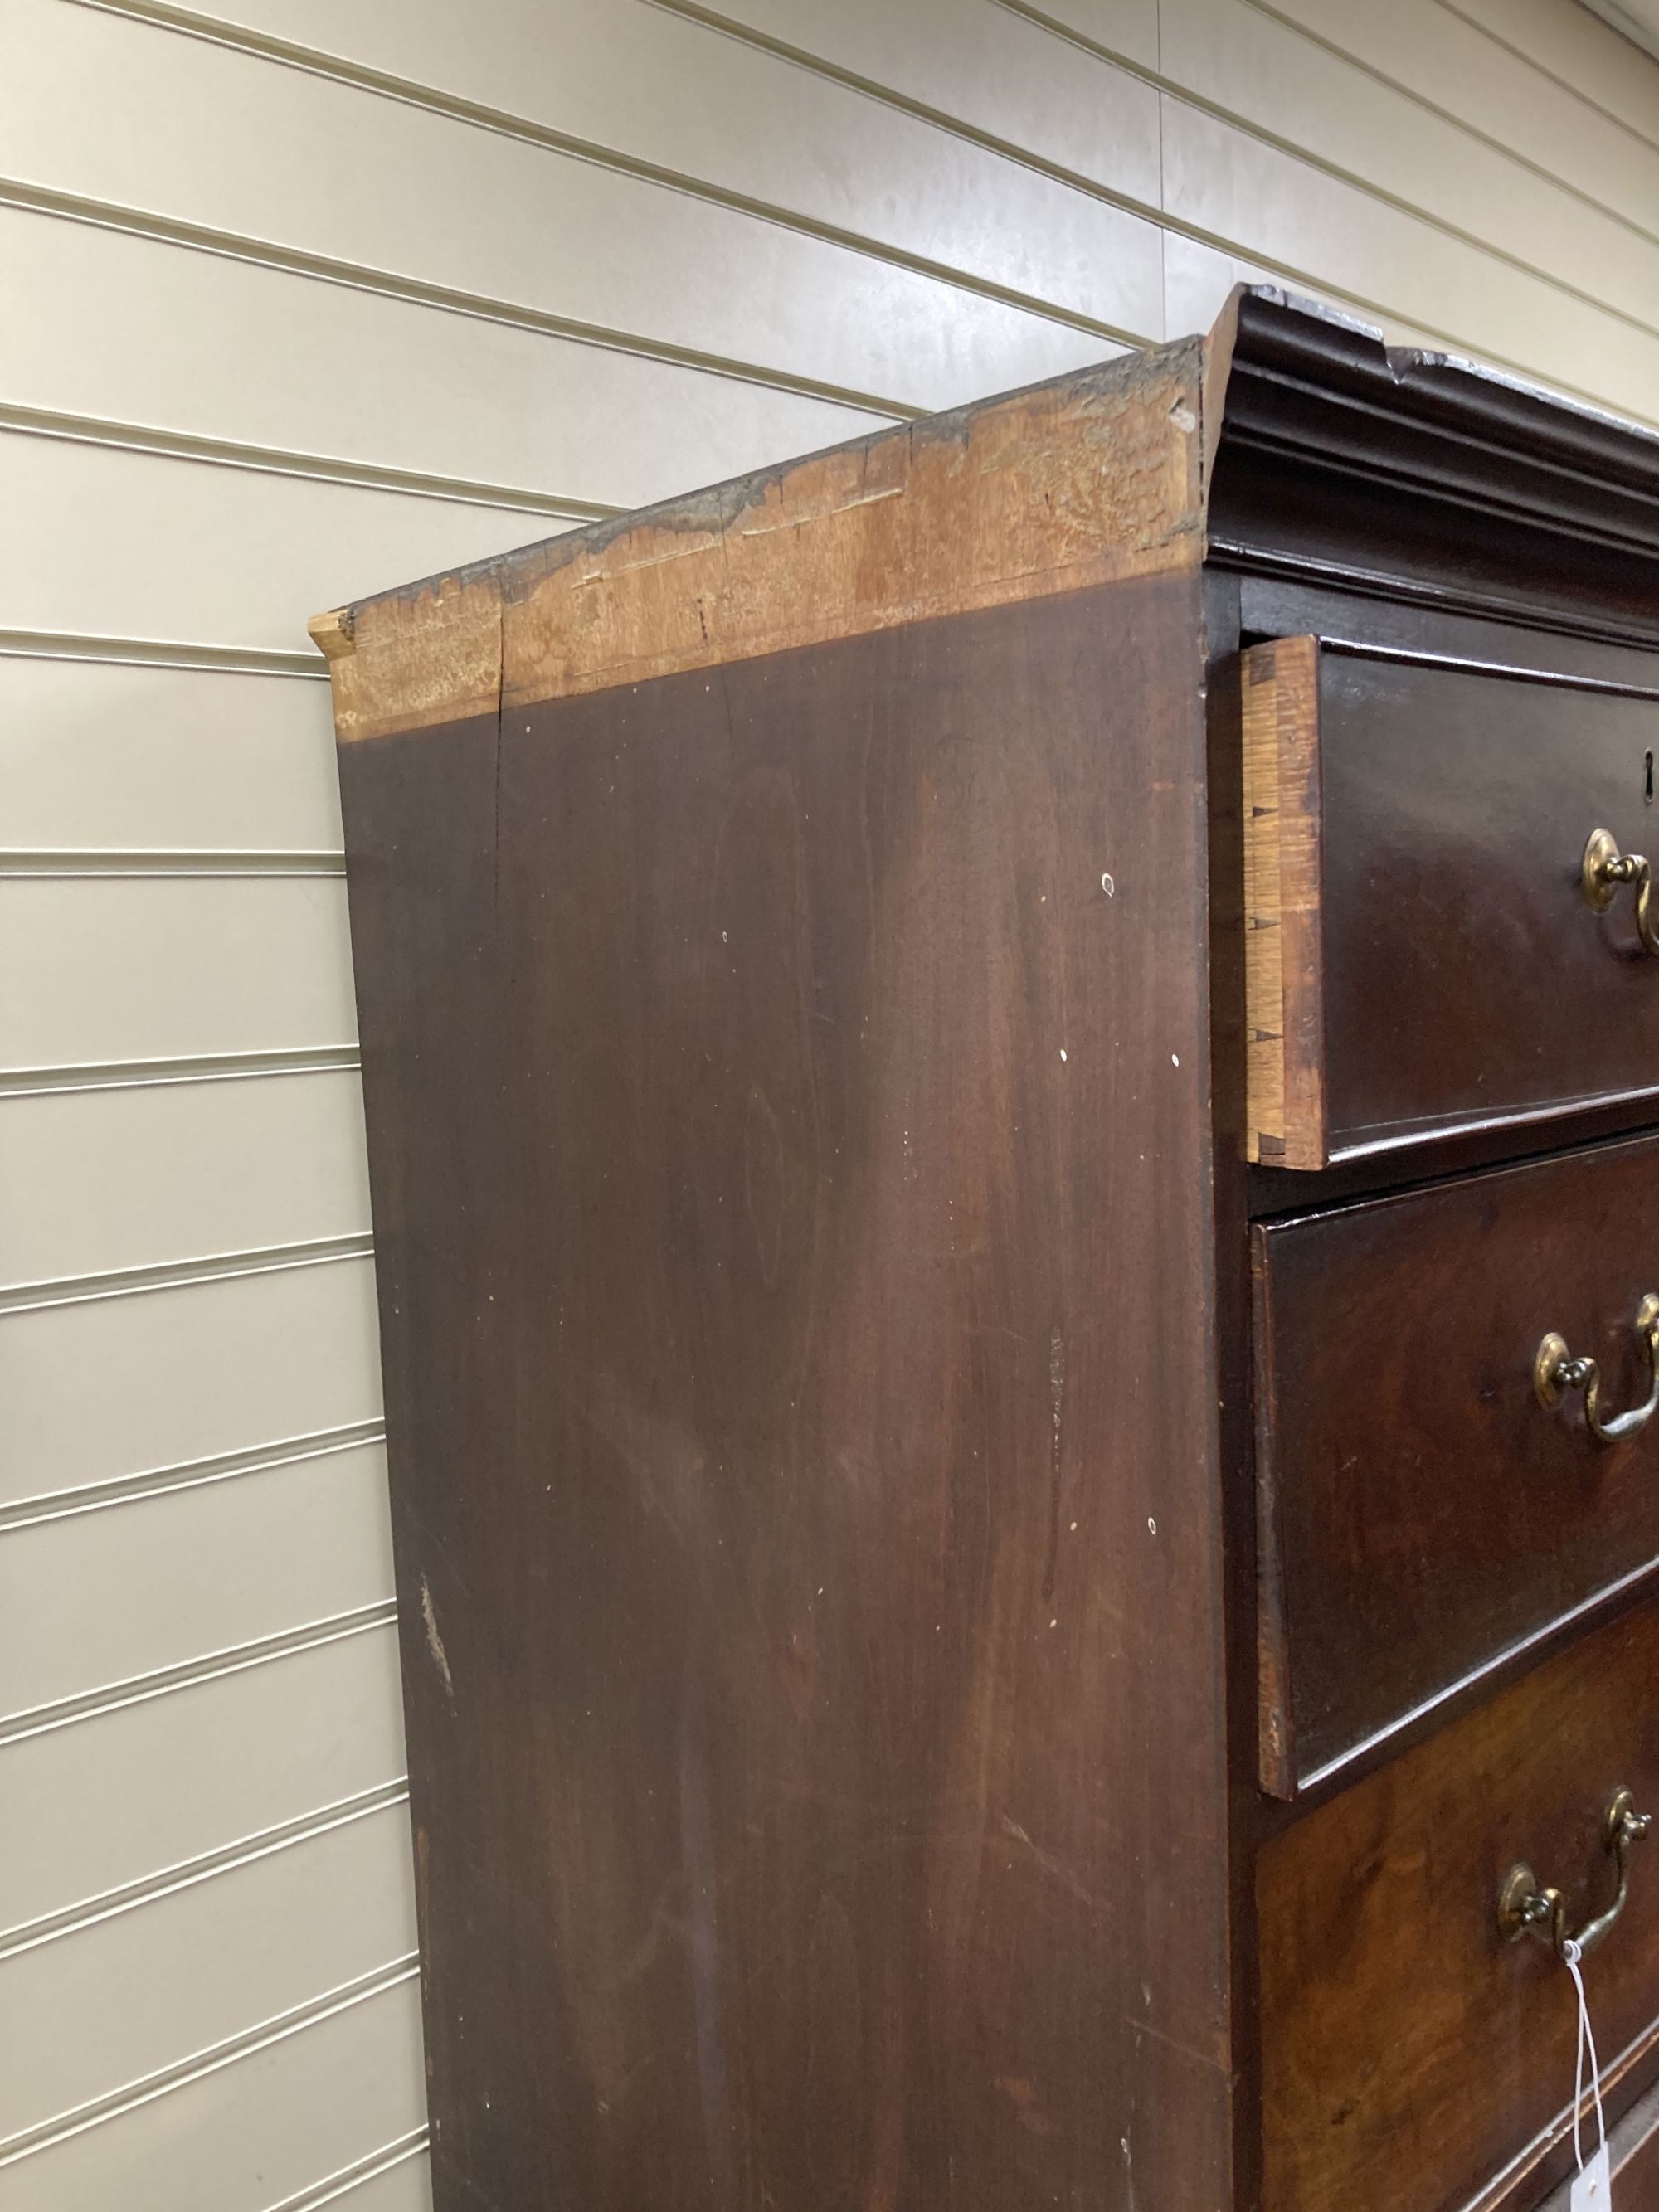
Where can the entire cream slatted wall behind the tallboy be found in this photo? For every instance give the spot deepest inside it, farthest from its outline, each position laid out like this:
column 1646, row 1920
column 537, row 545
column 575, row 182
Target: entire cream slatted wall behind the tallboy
column 286, row 342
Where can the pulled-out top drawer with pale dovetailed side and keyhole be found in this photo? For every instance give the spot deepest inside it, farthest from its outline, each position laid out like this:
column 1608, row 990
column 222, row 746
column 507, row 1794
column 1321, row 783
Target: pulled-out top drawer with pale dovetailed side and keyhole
column 1423, row 957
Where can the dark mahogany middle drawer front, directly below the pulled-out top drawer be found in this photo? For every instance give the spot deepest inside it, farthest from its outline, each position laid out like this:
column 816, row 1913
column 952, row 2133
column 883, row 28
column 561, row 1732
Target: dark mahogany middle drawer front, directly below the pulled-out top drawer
column 1421, row 1512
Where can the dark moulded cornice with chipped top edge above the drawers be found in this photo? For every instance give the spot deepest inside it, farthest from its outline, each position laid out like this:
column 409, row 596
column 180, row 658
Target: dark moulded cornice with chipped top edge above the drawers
column 1388, row 468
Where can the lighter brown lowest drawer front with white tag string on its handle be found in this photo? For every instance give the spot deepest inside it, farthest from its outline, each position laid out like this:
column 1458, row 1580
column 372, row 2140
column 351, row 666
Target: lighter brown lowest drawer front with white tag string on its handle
column 1412, row 2056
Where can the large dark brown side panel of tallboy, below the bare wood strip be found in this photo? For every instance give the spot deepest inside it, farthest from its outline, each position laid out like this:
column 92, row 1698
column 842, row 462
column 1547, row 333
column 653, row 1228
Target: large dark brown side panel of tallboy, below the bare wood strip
column 793, row 1185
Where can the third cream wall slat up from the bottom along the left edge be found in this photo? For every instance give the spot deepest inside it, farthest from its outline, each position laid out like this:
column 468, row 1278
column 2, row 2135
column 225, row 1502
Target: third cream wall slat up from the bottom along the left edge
column 109, row 1802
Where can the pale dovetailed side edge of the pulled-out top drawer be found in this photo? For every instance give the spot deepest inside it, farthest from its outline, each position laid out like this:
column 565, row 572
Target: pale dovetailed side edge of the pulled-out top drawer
column 1284, row 966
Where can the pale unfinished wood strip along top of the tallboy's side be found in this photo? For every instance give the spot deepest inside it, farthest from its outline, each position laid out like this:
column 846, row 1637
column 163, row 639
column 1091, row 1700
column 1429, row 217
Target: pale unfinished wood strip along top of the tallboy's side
column 1067, row 483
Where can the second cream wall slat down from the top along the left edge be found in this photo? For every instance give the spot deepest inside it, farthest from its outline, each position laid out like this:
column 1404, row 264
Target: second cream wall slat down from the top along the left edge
column 140, row 331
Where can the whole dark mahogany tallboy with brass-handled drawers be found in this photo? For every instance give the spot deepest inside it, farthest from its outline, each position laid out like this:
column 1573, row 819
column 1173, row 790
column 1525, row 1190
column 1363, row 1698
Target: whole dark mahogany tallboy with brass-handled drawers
column 1014, row 1116
